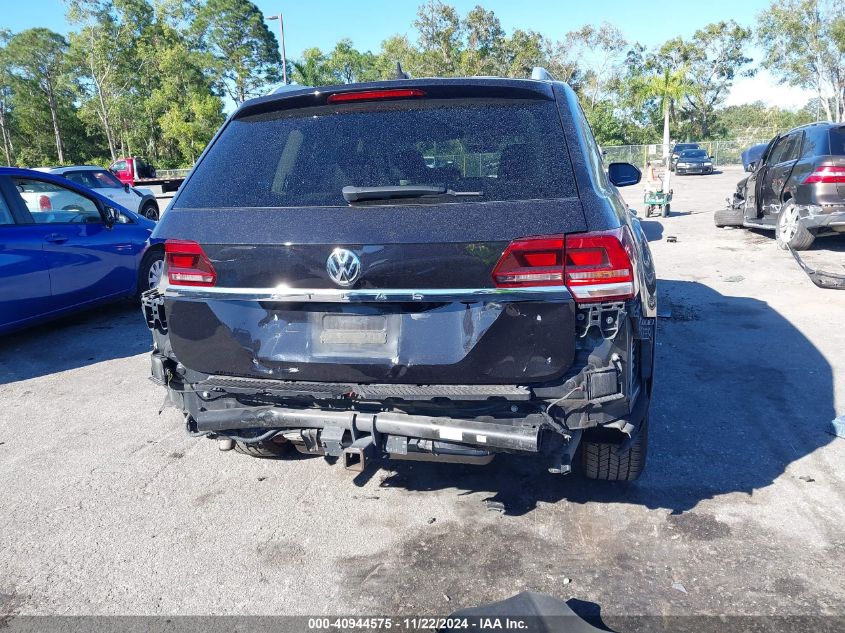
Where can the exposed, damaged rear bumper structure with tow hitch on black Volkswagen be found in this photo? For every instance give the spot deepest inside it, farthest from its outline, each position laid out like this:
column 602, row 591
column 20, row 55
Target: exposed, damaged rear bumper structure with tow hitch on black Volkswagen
column 448, row 422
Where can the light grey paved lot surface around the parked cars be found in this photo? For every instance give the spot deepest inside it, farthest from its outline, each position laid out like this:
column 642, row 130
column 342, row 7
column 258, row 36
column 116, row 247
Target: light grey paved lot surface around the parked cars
column 107, row 507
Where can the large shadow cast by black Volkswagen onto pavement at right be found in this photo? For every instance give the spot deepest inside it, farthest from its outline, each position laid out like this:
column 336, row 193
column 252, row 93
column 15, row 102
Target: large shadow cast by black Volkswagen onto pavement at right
column 730, row 413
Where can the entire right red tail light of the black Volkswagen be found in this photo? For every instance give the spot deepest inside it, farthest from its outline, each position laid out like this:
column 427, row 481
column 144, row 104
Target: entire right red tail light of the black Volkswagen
column 593, row 266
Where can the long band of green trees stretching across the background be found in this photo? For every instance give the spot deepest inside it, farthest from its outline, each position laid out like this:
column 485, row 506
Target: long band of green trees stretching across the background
column 153, row 77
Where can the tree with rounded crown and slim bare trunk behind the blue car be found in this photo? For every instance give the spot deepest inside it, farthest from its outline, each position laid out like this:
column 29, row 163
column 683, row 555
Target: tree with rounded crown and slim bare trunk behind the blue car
column 37, row 59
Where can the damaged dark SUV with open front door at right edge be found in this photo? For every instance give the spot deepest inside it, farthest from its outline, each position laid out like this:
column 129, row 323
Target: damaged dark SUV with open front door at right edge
column 797, row 188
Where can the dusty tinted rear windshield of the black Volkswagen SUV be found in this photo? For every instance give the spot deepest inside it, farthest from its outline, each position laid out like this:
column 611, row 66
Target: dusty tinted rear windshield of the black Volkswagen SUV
column 504, row 149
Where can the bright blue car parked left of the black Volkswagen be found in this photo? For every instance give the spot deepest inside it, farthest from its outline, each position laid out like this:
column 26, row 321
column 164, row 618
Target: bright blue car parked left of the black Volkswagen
column 64, row 247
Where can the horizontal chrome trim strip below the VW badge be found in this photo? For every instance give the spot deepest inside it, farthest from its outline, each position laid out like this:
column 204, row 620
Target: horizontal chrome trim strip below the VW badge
column 340, row 295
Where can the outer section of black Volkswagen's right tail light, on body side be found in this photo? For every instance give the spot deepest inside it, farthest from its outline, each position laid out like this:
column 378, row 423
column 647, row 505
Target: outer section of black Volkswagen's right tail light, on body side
column 599, row 266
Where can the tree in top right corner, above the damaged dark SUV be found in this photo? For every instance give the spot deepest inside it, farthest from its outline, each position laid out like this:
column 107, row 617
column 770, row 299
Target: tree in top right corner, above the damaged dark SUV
column 804, row 45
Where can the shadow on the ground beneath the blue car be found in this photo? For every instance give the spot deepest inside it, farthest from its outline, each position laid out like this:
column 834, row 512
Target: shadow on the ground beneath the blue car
column 112, row 331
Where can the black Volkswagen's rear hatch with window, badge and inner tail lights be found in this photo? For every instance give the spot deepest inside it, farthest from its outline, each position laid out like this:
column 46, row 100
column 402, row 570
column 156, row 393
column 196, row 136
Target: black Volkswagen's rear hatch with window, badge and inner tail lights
column 286, row 278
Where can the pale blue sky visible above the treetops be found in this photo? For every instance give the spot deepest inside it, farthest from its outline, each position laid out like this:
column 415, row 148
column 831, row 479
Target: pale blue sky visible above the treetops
column 321, row 23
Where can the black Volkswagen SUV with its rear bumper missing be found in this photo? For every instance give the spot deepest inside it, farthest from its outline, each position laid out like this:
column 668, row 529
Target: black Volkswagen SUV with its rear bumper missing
column 334, row 285
